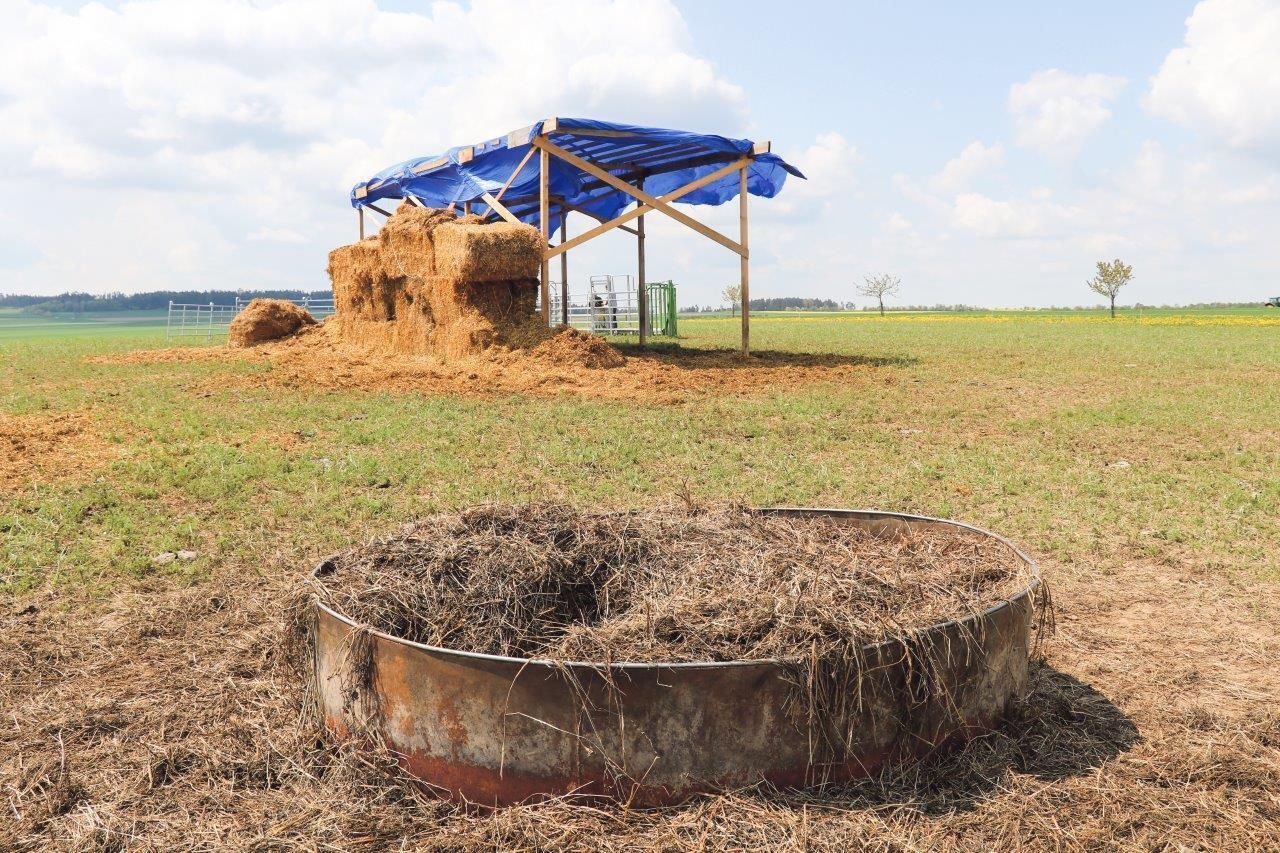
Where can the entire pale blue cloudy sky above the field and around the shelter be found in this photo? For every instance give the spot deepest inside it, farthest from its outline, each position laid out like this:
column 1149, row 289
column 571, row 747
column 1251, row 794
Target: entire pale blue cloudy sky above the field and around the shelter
column 986, row 153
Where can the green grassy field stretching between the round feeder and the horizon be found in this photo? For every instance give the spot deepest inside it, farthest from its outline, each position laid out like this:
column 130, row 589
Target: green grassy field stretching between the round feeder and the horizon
column 1090, row 443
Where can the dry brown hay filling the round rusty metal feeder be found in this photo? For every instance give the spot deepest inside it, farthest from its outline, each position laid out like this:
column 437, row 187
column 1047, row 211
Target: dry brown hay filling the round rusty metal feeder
column 673, row 583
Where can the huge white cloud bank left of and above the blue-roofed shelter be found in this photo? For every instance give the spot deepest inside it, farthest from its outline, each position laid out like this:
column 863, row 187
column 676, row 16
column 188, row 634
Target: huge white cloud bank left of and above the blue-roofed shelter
column 255, row 120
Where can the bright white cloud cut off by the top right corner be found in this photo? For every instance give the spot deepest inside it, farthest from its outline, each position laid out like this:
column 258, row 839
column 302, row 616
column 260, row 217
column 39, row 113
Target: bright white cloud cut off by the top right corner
column 1226, row 80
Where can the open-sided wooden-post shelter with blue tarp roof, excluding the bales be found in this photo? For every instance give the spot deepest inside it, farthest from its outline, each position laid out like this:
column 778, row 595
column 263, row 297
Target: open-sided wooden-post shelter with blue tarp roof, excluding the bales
column 612, row 174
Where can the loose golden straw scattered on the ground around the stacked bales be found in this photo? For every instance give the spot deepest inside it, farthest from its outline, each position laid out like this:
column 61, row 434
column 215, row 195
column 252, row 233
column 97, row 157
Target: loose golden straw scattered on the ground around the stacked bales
column 570, row 363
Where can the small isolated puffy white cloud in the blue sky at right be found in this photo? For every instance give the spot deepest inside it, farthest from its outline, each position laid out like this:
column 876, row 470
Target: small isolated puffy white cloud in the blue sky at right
column 1055, row 112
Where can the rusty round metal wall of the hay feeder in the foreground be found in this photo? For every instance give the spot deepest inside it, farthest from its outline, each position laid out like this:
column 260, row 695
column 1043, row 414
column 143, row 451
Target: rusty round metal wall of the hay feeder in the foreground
column 500, row 731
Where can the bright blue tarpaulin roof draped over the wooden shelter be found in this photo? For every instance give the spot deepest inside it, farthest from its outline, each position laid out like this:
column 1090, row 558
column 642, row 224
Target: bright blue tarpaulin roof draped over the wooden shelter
column 657, row 161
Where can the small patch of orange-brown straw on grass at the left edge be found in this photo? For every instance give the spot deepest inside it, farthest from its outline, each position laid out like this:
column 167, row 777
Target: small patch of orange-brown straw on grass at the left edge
column 49, row 448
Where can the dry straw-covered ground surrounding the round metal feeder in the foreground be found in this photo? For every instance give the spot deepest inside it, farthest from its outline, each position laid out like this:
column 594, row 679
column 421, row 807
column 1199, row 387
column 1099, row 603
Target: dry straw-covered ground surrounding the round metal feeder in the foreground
column 170, row 720
